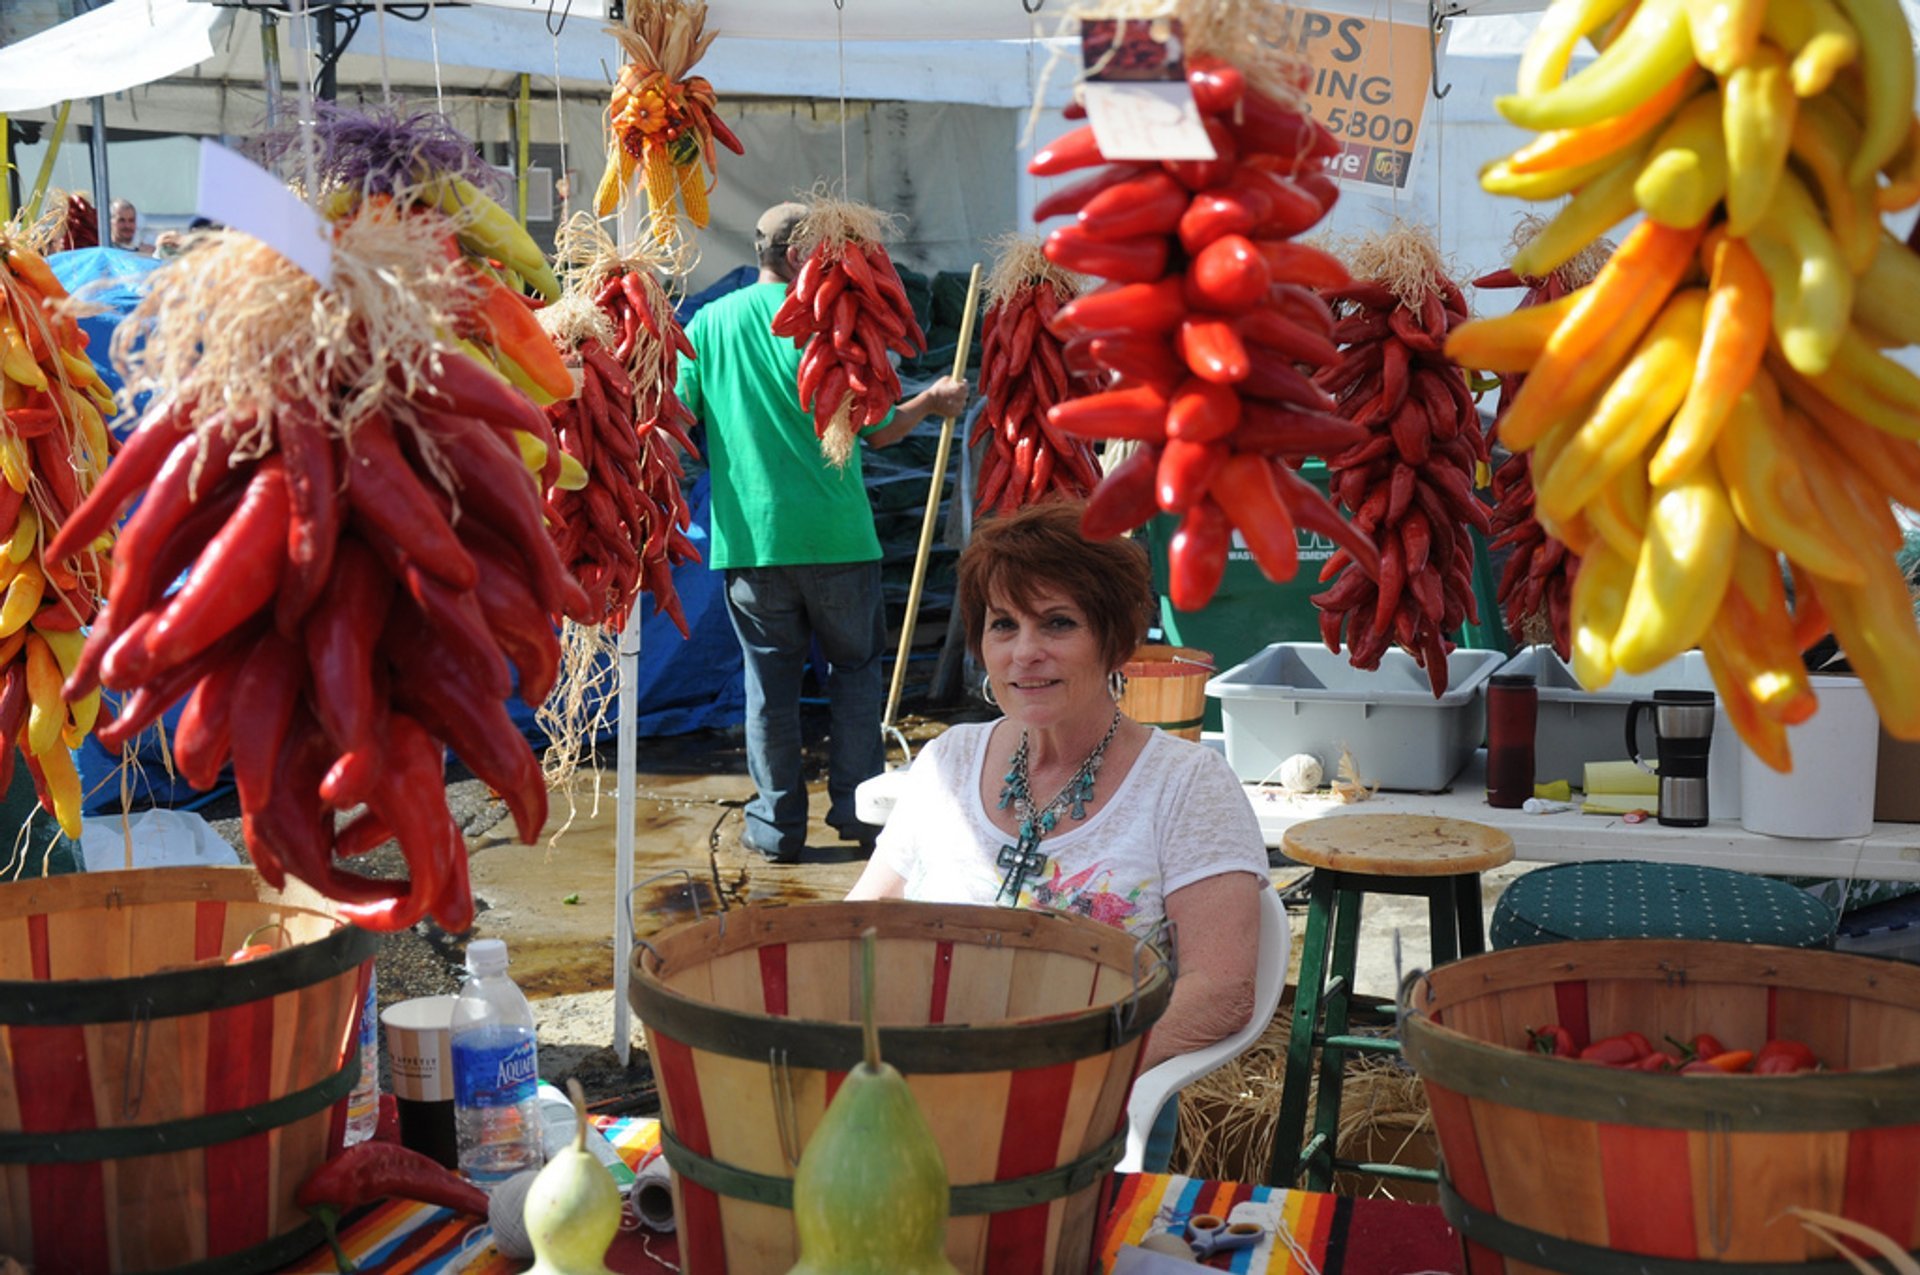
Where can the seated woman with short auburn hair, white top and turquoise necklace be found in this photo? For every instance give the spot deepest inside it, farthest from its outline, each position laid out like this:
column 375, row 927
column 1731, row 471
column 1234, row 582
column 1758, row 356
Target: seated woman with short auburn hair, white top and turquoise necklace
column 1067, row 802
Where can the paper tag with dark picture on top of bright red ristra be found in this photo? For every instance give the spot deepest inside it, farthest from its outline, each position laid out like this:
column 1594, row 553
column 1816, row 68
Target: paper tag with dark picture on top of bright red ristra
column 1136, row 91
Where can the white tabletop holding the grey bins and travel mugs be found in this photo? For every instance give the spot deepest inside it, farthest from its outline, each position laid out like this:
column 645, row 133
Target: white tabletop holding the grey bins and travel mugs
column 1888, row 854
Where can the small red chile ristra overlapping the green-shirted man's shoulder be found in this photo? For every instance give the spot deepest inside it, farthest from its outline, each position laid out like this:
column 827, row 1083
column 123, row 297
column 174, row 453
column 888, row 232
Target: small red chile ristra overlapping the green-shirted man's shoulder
column 848, row 310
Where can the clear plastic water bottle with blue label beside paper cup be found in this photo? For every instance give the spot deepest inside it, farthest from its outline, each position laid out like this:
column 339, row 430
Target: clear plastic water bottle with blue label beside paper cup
column 496, row 1071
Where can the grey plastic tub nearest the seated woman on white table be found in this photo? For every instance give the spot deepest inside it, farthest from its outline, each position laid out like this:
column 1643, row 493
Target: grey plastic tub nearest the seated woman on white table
column 1303, row 698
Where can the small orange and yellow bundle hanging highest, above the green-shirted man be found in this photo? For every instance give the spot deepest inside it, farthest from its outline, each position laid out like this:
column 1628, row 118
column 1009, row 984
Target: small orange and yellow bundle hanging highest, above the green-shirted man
column 661, row 120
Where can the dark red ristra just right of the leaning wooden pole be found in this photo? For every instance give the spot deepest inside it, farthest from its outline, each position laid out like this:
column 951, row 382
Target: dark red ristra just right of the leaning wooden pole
column 1022, row 375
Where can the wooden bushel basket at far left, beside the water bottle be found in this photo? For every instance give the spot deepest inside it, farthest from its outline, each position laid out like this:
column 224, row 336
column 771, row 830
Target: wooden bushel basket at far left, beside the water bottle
column 158, row 1107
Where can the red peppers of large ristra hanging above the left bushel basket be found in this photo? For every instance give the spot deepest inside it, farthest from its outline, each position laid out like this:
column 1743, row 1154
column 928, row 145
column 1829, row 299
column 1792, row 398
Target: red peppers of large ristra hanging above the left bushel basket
column 341, row 627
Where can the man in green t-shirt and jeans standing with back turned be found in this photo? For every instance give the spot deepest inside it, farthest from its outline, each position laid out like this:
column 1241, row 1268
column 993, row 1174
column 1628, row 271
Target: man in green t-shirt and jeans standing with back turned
column 796, row 541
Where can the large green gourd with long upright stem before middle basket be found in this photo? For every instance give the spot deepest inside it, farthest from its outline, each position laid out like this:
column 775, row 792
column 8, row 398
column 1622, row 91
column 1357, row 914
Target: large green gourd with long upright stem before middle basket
column 871, row 1191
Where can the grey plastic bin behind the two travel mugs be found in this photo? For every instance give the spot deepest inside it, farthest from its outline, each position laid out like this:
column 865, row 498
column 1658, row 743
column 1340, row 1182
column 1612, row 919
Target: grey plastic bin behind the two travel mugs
column 1579, row 727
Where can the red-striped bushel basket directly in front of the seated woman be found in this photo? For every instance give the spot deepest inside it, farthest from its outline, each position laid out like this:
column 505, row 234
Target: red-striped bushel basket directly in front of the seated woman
column 1019, row 1032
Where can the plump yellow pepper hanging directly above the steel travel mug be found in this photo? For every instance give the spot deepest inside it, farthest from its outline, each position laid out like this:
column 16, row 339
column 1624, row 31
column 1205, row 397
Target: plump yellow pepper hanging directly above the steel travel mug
column 1685, row 565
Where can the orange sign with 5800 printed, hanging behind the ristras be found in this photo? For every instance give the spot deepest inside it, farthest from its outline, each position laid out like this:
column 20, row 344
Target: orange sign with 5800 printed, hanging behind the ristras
column 1372, row 80
